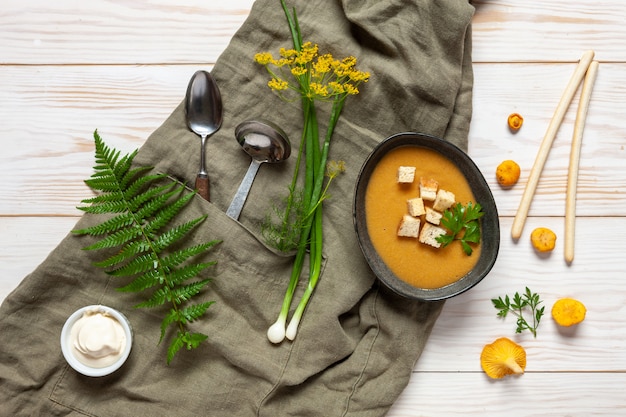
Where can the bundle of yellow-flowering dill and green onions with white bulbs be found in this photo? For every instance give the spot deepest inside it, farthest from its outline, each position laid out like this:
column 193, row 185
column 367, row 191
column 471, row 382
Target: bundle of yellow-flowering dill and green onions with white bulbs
column 305, row 74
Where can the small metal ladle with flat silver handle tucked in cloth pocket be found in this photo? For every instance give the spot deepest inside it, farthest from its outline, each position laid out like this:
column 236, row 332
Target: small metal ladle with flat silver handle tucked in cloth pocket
column 264, row 142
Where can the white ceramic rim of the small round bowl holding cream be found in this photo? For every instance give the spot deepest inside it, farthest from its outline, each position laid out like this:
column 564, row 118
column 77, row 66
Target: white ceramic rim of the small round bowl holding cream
column 67, row 350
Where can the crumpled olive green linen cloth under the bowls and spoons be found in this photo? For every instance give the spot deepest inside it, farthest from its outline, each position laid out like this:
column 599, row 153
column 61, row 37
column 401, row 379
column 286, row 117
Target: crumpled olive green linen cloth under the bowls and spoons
column 357, row 343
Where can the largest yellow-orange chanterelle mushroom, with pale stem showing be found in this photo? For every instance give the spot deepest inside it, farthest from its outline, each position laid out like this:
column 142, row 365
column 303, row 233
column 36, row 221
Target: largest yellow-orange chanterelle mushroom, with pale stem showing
column 503, row 357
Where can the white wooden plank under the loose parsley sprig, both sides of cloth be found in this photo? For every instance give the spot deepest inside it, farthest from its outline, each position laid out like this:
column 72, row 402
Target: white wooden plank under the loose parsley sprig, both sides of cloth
column 468, row 321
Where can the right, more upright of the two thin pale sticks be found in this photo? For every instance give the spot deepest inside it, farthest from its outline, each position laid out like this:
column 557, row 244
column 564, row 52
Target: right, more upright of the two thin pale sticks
column 574, row 158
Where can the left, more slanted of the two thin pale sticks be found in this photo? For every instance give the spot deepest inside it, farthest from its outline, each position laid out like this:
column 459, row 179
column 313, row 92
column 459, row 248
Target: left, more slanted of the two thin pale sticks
column 546, row 144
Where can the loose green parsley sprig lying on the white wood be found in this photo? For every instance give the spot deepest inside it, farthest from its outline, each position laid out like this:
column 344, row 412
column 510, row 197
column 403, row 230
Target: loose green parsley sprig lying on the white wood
column 517, row 306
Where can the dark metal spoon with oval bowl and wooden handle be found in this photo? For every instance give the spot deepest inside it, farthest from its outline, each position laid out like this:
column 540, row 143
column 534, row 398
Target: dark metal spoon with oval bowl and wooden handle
column 203, row 111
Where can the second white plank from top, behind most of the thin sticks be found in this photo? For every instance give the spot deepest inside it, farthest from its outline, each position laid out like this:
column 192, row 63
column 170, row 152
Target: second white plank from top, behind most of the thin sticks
column 49, row 114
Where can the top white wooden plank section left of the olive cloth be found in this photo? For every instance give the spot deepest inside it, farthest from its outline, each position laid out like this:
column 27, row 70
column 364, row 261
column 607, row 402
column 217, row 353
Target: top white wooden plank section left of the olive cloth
column 113, row 32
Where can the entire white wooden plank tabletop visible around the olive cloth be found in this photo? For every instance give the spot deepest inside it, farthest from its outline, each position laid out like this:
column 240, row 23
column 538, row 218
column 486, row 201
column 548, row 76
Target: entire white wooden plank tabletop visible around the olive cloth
column 67, row 67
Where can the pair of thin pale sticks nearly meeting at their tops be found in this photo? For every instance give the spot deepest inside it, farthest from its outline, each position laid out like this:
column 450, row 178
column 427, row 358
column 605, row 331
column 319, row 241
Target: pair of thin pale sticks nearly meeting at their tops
column 586, row 69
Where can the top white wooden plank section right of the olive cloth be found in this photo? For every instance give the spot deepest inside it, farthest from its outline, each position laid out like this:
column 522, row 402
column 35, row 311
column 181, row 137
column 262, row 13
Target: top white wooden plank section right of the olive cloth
column 547, row 31
